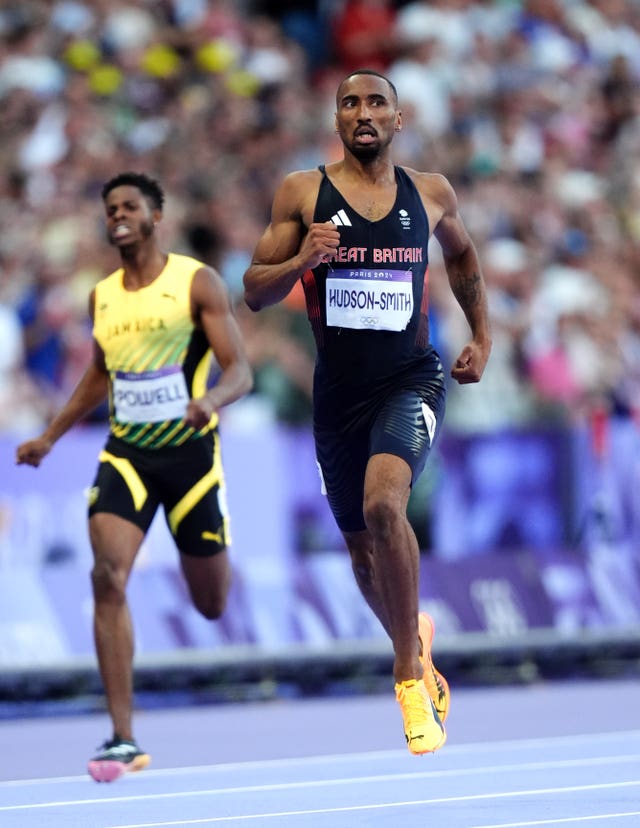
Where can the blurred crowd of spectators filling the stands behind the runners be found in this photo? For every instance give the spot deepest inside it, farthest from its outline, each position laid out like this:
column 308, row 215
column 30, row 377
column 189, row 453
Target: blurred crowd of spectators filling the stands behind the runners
column 530, row 108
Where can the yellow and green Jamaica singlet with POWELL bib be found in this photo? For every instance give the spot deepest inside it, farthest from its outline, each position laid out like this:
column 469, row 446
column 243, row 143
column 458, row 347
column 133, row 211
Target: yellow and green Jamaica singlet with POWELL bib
column 156, row 357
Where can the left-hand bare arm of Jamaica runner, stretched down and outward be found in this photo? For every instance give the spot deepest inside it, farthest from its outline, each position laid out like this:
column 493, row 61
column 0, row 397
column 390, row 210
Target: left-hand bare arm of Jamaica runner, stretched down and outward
column 91, row 390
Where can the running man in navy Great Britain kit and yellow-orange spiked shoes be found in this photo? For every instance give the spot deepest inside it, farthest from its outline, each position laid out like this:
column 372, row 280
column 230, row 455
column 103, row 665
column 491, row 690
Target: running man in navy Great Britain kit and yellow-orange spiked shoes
column 356, row 233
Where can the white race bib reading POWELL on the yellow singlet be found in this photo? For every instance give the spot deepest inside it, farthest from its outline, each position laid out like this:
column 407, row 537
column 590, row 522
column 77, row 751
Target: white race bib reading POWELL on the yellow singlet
column 150, row 397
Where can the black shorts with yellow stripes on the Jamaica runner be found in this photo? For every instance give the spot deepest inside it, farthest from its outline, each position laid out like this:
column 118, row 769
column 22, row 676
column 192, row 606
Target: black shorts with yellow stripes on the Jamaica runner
column 186, row 480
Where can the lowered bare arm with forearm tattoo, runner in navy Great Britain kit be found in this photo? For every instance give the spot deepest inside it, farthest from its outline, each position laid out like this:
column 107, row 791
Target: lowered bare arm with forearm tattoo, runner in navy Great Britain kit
column 464, row 272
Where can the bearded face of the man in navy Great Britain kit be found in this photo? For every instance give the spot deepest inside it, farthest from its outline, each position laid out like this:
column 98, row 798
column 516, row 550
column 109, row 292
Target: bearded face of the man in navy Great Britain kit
column 367, row 115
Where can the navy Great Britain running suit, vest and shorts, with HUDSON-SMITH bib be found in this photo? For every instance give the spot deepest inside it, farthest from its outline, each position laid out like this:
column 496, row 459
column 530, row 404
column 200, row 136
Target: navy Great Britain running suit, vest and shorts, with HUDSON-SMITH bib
column 378, row 384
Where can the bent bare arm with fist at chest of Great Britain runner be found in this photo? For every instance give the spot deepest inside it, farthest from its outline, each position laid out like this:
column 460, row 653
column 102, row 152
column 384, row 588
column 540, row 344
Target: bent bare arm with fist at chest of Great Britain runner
column 292, row 242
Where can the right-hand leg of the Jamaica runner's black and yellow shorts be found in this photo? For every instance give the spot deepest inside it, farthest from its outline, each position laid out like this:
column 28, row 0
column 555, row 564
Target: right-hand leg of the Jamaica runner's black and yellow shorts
column 194, row 497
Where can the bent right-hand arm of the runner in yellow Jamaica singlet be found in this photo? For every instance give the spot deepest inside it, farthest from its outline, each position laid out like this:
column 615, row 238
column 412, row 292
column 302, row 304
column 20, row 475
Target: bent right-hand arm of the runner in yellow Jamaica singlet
column 211, row 308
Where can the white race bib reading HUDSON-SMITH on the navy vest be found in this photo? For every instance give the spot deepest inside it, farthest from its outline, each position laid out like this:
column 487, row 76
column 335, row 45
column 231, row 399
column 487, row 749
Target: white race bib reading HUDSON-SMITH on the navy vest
column 381, row 300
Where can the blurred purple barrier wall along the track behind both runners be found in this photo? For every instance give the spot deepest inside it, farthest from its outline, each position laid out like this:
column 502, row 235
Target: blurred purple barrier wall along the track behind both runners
column 526, row 531
